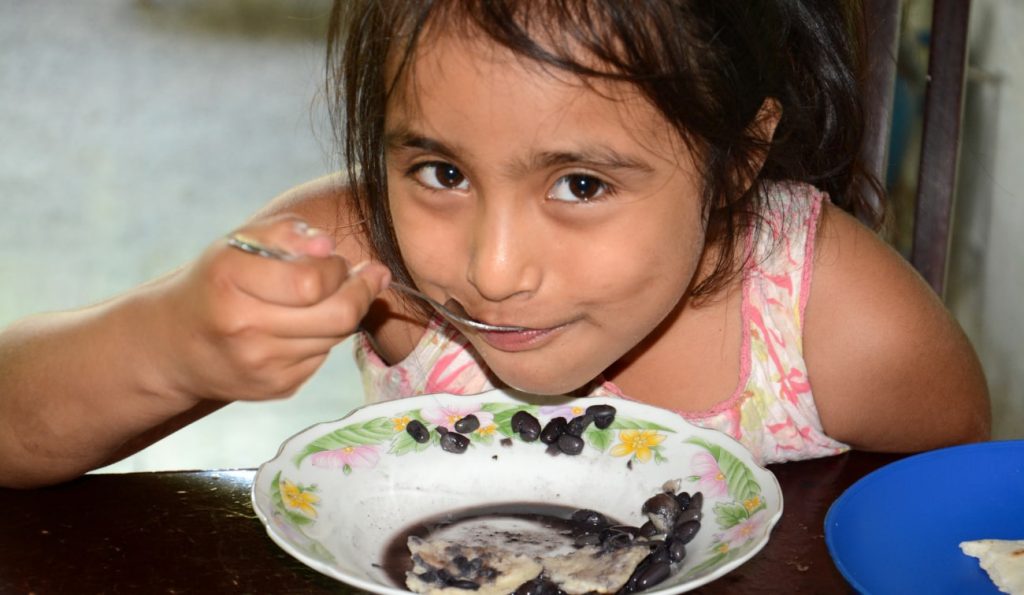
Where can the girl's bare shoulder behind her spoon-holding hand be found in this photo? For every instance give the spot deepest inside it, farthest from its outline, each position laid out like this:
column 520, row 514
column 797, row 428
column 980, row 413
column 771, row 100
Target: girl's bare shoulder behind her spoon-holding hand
column 326, row 203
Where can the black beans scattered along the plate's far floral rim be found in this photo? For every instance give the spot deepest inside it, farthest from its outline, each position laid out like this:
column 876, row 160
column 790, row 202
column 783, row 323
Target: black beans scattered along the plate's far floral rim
column 561, row 435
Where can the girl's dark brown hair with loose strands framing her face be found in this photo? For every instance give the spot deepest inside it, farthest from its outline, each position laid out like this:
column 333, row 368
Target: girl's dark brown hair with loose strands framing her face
column 708, row 66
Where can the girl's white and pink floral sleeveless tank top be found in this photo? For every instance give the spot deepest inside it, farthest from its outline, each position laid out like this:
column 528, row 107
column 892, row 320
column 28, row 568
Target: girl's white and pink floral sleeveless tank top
column 772, row 412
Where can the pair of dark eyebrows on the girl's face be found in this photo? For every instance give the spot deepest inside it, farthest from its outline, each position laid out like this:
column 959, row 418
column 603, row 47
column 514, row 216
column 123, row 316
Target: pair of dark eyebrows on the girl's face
column 598, row 157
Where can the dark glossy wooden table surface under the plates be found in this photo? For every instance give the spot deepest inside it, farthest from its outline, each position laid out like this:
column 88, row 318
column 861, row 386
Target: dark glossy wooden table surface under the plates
column 195, row 532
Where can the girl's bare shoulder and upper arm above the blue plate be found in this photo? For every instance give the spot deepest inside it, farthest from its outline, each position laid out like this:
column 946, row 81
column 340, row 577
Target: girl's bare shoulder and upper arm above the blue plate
column 890, row 367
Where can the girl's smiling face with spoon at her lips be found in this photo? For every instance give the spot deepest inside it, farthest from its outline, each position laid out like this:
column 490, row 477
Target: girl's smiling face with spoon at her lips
column 537, row 201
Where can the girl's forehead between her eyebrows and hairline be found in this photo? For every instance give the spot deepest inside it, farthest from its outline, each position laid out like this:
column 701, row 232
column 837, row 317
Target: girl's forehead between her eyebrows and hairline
column 454, row 83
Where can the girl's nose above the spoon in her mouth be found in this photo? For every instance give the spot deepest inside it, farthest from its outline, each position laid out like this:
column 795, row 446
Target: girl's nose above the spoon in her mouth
column 504, row 262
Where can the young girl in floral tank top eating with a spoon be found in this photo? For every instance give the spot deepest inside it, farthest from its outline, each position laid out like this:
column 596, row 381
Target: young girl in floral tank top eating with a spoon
column 658, row 192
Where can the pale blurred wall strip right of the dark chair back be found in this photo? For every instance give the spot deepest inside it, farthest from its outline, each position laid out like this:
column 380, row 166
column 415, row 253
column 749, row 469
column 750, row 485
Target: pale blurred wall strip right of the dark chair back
column 988, row 268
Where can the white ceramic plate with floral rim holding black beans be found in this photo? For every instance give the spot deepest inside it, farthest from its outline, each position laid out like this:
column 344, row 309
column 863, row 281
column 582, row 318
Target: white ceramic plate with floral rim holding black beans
column 338, row 493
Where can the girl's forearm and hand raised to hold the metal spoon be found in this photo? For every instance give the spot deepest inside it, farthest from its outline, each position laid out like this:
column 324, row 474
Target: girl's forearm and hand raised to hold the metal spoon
column 84, row 389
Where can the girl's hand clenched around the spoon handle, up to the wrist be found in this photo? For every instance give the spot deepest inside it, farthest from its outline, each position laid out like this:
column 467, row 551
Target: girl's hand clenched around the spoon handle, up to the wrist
column 246, row 327
